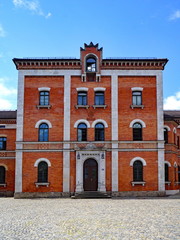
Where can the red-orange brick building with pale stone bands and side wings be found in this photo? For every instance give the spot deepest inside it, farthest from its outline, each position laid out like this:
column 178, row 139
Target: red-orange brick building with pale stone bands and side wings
column 89, row 125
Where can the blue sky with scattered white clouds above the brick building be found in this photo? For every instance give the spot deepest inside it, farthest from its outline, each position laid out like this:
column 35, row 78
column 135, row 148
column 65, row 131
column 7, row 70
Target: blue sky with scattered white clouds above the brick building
column 58, row 28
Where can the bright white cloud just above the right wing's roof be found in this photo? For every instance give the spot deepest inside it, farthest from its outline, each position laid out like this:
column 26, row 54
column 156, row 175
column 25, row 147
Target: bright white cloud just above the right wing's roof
column 172, row 102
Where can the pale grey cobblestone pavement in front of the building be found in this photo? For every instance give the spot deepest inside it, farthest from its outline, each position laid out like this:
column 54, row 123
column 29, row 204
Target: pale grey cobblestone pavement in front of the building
column 87, row 219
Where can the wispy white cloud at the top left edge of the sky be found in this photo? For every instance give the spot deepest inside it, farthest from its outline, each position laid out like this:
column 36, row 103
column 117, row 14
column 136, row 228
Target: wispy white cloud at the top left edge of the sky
column 32, row 5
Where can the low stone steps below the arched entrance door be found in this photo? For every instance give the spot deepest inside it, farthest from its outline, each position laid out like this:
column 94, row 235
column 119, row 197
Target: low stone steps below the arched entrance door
column 90, row 194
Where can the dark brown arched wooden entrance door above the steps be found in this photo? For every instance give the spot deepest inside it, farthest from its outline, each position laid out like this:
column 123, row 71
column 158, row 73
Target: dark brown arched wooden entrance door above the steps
column 90, row 175
